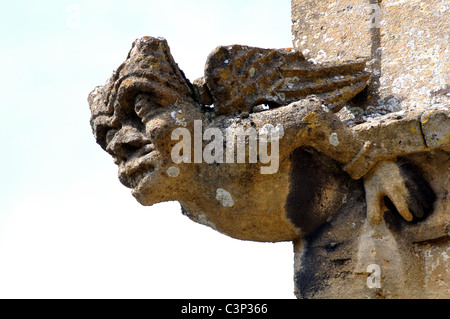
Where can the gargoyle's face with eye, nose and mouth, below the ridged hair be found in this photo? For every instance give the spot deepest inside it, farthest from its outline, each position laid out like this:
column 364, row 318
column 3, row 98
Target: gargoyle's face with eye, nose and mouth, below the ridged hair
column 142, row 145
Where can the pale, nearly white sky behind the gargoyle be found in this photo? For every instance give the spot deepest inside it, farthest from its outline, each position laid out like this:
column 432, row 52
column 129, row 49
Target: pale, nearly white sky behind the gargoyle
column 68, row 228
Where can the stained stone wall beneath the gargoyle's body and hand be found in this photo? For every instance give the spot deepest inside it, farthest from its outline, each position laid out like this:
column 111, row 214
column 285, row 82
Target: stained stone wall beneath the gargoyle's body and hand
column 413, row 257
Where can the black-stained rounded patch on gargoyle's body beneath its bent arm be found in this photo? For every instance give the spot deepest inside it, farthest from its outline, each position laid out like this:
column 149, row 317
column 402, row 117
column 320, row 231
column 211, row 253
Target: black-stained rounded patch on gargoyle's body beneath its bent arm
column 318, row 187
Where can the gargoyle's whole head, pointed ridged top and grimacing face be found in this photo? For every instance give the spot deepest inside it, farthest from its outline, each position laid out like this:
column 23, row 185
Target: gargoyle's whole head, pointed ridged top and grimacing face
column 134, row 114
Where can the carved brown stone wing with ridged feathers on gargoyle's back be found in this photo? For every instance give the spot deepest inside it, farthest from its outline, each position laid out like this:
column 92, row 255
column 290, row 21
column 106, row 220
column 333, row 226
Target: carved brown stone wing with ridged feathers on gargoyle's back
column 237, row 78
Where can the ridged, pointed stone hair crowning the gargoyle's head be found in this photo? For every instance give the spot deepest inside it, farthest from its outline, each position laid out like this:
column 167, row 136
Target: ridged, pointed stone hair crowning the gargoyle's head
column 149, row 68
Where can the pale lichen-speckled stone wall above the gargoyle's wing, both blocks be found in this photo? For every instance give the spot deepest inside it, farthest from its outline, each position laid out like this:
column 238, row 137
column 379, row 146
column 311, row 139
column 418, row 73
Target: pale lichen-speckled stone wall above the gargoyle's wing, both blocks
column 406, row 42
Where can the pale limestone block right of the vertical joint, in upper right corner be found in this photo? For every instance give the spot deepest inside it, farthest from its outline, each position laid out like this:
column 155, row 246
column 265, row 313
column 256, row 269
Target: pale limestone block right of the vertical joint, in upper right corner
column 415, row 52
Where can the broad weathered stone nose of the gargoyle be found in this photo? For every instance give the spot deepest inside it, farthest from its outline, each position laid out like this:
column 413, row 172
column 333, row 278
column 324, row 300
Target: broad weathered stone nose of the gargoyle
column 126, row 142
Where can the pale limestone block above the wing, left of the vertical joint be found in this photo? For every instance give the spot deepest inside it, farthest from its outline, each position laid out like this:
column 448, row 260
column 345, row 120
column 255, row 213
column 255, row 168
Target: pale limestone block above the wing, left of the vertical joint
column 332, row 30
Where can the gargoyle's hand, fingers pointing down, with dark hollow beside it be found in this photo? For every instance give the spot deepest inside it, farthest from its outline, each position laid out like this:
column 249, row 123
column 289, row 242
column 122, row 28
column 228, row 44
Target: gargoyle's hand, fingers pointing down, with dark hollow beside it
column 405, row 188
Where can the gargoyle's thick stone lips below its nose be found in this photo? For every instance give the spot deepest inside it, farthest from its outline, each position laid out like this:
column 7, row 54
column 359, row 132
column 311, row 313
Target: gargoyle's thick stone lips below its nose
column 136, row 169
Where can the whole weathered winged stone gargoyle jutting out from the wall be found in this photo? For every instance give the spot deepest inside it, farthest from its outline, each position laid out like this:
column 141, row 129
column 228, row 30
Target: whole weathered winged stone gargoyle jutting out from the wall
column 174, row 140
